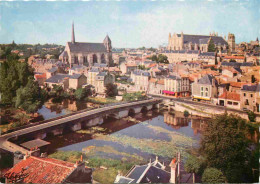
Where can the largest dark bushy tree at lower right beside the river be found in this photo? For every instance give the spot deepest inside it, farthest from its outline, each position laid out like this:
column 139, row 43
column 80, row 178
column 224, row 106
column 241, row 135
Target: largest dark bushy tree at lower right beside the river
column 225, row 146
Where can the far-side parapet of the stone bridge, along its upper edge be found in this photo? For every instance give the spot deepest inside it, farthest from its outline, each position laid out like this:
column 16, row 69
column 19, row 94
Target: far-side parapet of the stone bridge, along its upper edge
column 66, row 115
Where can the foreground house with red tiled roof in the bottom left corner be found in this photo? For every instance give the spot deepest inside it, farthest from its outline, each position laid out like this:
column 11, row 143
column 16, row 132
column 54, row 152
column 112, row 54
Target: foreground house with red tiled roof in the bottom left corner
column 48, row 170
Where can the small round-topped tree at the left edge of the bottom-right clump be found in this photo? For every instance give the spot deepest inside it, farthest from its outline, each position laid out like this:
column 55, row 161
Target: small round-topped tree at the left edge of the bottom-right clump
column 193, row 165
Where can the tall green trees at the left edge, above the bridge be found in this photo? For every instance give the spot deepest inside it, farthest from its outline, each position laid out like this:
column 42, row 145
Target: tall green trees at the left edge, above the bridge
column 17, row 85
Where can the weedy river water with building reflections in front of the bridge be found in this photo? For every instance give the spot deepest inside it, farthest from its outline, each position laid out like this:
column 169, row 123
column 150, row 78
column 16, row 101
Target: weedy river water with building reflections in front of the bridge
column 160, row 134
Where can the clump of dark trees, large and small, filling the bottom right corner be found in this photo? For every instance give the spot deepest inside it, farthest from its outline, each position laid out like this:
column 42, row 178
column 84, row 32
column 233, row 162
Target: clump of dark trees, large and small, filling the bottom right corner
column 226, row 153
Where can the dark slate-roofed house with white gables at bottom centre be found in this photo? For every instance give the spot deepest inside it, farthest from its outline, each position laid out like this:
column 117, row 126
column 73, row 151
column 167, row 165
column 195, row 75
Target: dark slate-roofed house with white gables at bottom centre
column 153, row 172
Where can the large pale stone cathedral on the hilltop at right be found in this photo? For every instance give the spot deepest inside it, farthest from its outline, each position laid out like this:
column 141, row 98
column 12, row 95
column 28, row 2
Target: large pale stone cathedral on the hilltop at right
column 197, row 42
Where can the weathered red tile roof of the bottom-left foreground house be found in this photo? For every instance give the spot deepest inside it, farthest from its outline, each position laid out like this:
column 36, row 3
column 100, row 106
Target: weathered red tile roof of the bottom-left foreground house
column 42, row 170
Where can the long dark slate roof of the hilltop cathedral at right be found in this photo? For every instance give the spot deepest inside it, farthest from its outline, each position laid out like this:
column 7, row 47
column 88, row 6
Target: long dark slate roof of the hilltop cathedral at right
column 196, row 39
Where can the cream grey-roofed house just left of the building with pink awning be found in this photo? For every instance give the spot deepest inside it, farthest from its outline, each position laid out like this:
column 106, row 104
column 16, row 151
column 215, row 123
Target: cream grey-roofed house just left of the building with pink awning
column 140, row 79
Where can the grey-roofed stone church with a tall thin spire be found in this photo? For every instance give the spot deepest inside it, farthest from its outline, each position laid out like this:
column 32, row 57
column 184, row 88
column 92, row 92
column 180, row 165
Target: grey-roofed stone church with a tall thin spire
column 87, row 54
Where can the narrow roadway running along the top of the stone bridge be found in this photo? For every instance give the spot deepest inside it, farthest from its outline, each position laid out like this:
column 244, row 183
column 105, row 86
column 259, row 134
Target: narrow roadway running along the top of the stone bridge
column 5, row 137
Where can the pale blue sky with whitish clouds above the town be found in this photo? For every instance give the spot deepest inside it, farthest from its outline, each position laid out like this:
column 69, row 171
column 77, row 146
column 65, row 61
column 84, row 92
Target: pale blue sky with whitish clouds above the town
column 129, row 24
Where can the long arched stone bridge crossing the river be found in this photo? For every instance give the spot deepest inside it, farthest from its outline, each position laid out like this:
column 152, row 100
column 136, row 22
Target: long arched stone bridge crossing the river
column 76, row 121
